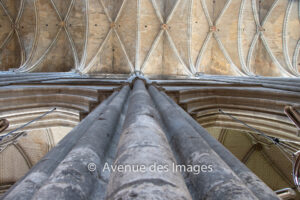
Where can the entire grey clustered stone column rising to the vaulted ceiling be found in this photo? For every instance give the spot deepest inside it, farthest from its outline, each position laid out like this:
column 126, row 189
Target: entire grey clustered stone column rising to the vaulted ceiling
column 155, row 132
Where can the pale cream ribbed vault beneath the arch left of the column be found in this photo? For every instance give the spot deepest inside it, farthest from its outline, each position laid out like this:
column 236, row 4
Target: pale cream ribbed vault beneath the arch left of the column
column 17, row 159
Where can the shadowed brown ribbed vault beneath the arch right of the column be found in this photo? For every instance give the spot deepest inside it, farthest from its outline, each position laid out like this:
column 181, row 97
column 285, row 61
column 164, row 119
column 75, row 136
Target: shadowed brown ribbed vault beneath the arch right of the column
column 258, row 154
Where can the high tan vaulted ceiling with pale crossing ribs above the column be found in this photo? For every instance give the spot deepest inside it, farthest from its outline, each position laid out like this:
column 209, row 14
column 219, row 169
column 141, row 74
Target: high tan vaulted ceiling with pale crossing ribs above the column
column 156, row 37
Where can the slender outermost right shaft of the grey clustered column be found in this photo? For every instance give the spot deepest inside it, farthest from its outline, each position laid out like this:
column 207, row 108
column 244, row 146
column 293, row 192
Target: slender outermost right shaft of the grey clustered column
column 259, row 188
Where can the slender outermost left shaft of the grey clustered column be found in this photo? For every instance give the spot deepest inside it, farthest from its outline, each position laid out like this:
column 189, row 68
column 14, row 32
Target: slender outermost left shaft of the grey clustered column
column 26, row 187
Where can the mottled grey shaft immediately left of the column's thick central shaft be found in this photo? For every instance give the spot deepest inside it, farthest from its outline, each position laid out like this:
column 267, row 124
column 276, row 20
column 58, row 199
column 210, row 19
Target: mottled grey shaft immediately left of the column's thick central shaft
column 72, row 179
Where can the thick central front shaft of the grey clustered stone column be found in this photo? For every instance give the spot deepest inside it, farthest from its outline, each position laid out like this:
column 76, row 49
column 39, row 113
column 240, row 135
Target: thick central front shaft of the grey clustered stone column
column 143, row 145
